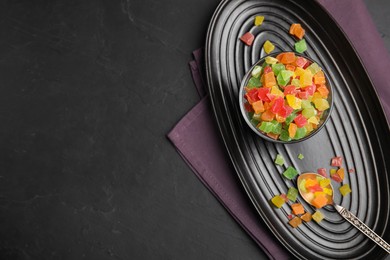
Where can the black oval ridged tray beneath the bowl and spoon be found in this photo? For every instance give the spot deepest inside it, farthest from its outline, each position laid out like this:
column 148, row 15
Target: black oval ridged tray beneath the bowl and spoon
column 357, row 130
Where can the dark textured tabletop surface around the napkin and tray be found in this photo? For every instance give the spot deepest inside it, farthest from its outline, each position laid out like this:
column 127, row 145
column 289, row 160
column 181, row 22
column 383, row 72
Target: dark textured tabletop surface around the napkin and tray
column 89, row 90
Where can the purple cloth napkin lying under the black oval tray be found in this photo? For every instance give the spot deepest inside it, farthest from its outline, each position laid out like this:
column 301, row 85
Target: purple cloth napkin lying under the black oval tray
column 198, row 140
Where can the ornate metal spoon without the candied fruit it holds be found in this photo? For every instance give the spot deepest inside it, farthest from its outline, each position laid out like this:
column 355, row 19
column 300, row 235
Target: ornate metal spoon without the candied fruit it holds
column 344, row 212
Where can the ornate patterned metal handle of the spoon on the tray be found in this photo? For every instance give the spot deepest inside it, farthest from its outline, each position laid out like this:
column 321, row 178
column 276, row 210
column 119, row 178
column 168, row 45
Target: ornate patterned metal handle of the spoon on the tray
column 351, row 218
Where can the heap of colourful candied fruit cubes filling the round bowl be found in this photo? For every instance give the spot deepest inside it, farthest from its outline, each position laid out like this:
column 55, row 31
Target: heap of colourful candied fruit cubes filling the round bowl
column 286, row 97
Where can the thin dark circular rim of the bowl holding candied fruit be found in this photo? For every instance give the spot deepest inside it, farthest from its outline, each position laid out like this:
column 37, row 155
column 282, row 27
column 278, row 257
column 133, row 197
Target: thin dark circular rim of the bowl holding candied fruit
column 244, row 113
